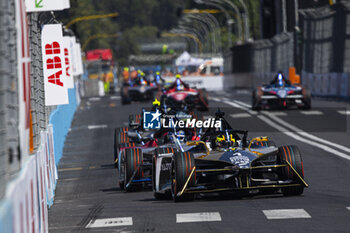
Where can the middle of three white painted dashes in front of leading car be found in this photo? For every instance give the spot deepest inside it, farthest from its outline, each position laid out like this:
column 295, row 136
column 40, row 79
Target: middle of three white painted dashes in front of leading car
column 198, row 217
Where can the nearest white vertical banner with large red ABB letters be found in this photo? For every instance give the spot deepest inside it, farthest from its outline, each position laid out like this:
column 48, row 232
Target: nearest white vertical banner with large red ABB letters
column 54, row 66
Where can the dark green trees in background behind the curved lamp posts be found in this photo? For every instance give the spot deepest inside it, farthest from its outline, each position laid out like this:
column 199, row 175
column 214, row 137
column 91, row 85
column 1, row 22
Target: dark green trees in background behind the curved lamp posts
column 141, row 19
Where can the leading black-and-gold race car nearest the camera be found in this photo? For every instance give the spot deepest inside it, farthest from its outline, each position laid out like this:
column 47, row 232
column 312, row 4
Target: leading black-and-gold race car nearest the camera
column 231, row 163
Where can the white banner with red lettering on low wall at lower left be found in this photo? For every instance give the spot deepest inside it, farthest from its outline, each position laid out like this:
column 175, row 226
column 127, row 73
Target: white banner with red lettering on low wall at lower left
column 33, row 190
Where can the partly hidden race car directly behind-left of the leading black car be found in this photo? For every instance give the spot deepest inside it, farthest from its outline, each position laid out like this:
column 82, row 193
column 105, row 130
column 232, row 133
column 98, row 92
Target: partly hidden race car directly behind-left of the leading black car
column 134, row 148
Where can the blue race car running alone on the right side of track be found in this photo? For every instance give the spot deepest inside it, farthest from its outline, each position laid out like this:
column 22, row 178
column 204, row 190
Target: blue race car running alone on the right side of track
column 280, row 93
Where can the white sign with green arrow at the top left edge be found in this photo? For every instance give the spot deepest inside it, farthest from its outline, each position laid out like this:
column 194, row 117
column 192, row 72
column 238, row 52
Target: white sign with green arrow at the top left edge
column 46, row 5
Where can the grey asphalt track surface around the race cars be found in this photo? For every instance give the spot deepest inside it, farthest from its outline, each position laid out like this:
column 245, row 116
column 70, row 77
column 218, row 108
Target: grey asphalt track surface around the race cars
column 87, row 188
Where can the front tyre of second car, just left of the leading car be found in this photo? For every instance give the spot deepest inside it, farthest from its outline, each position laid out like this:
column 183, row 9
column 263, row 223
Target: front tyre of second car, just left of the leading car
column 132, row 162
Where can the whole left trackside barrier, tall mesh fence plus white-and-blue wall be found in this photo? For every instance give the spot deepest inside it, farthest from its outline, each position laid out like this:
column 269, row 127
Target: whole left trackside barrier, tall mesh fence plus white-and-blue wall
column 28, row 166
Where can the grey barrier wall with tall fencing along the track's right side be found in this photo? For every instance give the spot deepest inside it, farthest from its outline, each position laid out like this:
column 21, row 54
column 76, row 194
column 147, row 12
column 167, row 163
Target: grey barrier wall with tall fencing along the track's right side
column 320, row 51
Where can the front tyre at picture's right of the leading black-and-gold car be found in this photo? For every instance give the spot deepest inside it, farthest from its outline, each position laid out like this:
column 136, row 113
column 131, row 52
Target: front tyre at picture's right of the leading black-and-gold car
column 293, row 156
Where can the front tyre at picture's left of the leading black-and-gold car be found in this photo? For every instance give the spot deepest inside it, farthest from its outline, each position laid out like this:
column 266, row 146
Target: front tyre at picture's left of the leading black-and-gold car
column 181, row 167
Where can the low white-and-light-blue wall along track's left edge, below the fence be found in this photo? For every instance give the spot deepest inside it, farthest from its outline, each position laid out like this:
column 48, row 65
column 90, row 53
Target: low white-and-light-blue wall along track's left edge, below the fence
column 29, row 195
